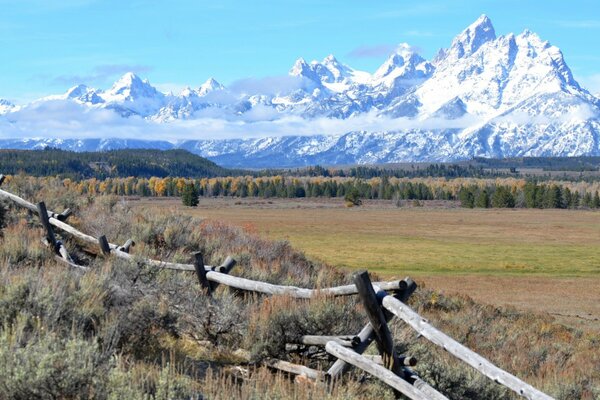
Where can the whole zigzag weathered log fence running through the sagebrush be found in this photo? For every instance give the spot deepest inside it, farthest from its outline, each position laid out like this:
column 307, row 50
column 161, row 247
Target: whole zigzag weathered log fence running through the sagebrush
column 380, row 306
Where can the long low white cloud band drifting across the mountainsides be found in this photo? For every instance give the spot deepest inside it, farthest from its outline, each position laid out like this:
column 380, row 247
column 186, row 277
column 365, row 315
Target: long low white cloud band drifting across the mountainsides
column 66, row 119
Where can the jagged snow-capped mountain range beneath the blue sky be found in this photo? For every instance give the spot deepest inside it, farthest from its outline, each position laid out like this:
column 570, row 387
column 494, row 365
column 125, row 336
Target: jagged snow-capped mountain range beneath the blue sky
column 484, row 95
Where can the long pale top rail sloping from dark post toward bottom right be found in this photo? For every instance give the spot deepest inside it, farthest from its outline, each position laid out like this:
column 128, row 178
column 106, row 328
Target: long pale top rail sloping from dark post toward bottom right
column 478, row 362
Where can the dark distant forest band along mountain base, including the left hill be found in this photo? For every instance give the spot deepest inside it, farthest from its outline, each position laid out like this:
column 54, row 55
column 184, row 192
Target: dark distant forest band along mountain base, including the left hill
column 142, row 163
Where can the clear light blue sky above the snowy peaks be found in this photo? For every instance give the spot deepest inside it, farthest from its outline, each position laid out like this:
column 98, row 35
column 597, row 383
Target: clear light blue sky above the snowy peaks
column 49, row 45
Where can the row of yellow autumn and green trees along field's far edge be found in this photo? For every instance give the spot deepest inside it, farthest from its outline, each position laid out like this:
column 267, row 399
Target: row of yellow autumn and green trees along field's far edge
column 470, row 192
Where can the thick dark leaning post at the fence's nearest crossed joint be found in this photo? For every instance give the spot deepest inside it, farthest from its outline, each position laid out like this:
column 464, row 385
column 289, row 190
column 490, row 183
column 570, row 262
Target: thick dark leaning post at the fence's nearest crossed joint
column 383, row 336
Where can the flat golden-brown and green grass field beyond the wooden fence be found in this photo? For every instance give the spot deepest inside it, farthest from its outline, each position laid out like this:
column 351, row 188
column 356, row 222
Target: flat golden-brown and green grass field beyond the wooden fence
column 545, row 260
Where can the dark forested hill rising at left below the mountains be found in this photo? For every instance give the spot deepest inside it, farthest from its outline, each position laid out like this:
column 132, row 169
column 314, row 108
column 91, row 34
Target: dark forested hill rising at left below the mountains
column 114, row 163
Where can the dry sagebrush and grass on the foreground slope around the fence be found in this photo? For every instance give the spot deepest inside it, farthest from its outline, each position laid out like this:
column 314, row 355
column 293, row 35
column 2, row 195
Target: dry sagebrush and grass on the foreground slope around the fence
column 136, row 332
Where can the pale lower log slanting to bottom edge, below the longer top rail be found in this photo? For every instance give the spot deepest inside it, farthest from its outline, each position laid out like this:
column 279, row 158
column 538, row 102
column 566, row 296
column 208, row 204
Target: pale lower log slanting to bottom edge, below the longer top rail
column 378, row 371
